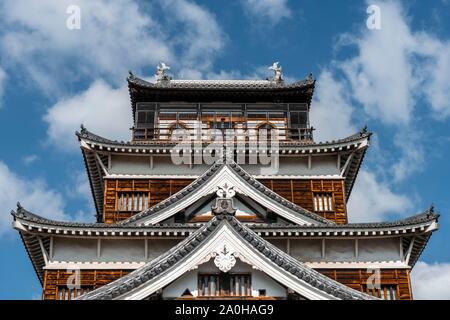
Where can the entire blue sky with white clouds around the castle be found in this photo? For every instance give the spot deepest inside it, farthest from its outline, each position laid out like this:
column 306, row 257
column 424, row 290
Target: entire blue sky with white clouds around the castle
column 396, row 80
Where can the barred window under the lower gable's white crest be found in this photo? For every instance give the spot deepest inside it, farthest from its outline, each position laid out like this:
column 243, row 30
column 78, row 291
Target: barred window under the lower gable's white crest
column 224, row 284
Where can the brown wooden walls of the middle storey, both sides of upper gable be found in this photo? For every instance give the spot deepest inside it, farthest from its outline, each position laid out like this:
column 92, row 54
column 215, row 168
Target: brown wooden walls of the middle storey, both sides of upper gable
column 300, row 192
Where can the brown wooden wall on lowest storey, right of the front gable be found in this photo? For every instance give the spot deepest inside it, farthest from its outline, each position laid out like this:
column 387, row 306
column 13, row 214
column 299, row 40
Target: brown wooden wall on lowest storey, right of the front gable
column 357, row 279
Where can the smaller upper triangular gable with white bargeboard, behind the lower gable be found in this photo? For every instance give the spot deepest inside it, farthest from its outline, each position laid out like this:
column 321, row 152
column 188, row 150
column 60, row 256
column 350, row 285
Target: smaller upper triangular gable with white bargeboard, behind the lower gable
column 231, row 175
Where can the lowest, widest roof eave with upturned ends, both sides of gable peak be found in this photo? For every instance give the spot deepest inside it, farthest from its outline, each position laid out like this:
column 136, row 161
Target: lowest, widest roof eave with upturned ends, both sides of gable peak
column 32, row 226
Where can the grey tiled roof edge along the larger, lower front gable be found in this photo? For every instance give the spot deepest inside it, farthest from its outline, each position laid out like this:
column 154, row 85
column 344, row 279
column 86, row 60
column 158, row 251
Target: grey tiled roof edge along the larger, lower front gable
column 177, row 254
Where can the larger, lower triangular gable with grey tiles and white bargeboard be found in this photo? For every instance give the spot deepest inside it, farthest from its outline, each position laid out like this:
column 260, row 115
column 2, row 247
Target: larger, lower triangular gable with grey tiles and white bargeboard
column 208, row 243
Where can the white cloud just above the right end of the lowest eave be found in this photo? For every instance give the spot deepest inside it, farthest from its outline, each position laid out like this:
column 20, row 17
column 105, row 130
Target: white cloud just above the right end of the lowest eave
column 373, row 200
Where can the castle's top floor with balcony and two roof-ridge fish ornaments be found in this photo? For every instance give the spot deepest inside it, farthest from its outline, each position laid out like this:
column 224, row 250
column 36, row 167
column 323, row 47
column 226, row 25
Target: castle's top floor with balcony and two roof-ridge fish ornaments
column 209, row 107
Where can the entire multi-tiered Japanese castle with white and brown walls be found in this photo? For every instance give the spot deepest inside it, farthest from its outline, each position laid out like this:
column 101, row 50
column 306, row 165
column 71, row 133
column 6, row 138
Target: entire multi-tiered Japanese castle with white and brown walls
column 222, row 193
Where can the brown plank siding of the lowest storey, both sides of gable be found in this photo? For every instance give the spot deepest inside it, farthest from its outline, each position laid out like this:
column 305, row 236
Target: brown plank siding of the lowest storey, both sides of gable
column 56, row 280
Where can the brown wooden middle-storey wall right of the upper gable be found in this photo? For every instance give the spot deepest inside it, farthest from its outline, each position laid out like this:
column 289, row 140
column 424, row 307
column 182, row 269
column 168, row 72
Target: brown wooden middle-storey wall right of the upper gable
column 301, row 192
